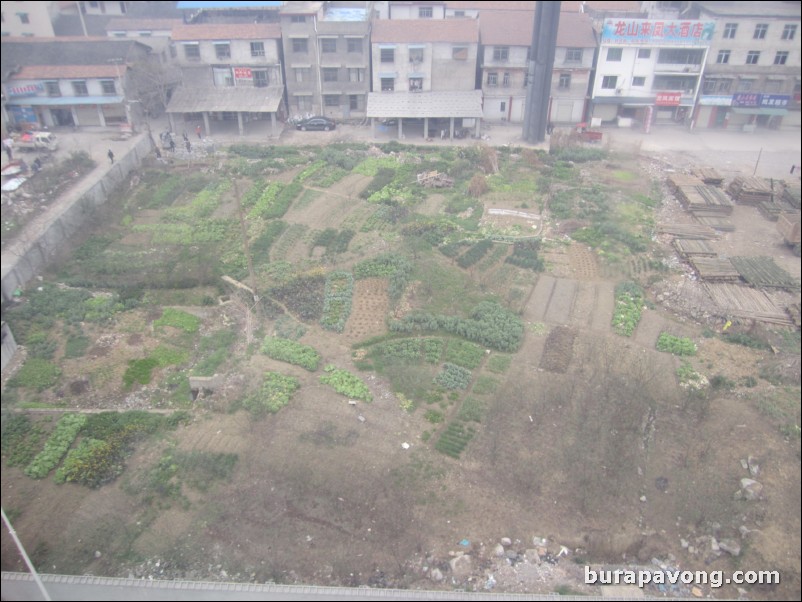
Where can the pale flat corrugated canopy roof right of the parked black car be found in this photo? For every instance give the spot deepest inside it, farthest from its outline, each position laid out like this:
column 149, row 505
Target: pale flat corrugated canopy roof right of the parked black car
column 417, row 105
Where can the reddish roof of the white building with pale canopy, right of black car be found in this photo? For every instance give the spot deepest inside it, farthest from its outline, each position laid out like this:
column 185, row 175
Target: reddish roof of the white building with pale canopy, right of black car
column 405, row 31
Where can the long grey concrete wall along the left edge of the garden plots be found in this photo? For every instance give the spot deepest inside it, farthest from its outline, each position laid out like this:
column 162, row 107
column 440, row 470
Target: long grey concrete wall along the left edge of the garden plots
column 34, row 251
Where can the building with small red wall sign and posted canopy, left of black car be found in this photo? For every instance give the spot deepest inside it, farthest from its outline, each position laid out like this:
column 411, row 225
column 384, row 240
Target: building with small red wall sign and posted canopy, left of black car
column 229, row 72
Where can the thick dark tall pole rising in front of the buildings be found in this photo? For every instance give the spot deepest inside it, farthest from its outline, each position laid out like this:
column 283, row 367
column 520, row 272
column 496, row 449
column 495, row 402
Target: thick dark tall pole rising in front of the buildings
column 541, row 65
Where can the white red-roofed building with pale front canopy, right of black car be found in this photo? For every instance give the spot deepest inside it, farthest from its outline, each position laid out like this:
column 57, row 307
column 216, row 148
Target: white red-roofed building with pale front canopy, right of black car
column 426, row 69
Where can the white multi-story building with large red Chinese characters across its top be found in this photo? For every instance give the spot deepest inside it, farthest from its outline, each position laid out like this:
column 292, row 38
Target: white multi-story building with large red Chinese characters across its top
column 649, row 70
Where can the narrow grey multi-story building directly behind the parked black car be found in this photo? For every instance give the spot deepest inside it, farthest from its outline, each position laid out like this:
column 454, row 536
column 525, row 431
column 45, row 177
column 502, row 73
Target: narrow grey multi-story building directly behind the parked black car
column 327, row 57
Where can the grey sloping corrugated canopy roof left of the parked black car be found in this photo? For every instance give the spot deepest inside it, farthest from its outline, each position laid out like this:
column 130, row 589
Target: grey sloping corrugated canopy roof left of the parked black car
column 198, row 100
